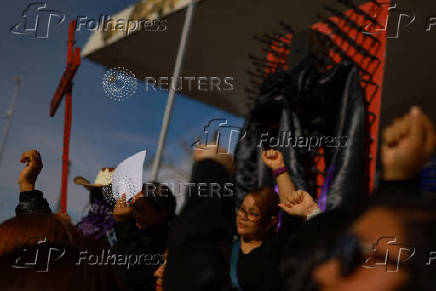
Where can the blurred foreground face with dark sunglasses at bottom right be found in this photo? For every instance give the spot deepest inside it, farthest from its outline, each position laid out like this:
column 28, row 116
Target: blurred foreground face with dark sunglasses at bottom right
column 369, row 229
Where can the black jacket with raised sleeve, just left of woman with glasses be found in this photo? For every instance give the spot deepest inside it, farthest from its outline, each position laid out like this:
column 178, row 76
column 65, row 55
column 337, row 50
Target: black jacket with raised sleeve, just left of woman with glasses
column 200, row 241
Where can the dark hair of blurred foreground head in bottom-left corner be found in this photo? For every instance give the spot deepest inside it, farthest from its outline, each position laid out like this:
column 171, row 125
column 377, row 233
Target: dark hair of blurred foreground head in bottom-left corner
column 56, row 268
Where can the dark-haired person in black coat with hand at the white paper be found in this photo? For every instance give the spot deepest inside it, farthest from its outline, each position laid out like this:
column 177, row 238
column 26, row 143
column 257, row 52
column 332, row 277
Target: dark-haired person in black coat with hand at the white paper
column 142, row 233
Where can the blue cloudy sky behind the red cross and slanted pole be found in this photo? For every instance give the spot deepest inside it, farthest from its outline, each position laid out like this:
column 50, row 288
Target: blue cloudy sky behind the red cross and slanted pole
column 104, row 132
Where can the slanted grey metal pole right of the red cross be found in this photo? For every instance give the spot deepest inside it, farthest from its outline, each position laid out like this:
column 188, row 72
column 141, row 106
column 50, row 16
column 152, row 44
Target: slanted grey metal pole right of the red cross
column 169, row 107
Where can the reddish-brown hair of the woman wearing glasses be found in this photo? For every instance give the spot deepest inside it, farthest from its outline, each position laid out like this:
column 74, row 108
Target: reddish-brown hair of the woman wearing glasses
column 267, row 200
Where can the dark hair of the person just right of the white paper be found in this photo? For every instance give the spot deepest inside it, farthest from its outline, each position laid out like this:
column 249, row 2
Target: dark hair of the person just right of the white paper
column 161, row 197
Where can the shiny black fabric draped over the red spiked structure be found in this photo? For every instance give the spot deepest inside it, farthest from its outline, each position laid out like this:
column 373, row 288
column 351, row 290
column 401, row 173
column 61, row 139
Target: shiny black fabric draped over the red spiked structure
column 302, row 103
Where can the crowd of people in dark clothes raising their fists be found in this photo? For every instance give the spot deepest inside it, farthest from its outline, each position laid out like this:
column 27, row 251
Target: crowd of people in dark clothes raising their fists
column 273, row 241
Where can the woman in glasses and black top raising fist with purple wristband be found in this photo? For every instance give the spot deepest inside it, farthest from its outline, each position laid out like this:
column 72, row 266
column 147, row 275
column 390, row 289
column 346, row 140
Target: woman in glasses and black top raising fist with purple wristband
column 255, row 254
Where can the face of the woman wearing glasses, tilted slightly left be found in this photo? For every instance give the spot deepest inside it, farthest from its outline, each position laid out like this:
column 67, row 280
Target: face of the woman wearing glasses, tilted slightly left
column 248, row 218
